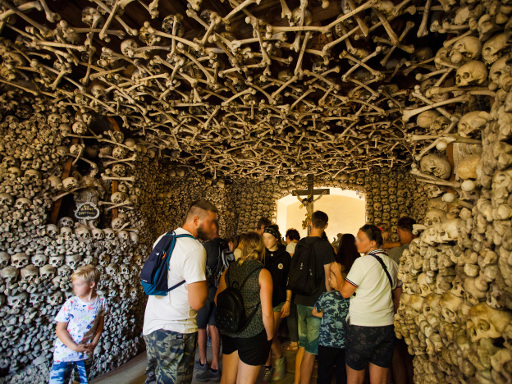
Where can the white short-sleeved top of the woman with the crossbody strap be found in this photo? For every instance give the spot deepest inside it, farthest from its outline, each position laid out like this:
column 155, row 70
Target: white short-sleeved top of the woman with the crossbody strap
column 372, row 303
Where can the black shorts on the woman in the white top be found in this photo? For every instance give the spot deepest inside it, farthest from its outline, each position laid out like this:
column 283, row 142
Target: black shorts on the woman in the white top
column 369, row 344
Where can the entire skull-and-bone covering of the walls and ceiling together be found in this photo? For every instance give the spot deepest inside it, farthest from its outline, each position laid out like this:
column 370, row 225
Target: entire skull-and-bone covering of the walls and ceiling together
column 231, row 86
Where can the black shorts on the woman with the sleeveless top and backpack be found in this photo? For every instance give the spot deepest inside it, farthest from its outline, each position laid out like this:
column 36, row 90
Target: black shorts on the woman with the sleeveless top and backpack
column 252, row 351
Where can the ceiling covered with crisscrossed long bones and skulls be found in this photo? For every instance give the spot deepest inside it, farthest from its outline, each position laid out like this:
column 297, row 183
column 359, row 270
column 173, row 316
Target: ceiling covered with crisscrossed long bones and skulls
column 253, row 88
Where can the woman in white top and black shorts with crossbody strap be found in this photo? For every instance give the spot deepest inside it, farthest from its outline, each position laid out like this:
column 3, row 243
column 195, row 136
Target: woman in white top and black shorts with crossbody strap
column 374, row 291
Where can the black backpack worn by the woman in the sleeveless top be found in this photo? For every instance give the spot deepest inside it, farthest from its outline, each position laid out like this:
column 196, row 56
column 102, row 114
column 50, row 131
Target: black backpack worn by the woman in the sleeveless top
column 230, row 314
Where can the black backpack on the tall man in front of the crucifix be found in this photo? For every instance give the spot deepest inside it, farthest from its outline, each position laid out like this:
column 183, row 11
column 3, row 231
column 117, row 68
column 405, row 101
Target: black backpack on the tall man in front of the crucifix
column 303, row 276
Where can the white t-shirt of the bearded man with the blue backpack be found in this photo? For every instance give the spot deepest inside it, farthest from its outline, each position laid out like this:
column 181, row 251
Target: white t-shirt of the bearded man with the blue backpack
column 173, row 312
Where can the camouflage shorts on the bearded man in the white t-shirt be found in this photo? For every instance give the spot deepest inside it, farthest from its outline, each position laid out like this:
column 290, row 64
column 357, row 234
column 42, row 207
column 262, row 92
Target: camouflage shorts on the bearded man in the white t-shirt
column 171, row 355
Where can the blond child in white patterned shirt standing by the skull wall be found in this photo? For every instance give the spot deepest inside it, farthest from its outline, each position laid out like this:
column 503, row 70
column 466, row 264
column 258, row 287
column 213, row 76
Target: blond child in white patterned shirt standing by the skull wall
column 79, row 325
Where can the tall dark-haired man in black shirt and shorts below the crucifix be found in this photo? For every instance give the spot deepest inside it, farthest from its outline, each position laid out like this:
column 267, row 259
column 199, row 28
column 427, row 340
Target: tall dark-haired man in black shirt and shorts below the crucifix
column 309, row 325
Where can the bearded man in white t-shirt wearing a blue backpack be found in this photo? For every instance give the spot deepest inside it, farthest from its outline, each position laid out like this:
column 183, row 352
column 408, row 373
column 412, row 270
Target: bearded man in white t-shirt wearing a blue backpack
column 174, row 279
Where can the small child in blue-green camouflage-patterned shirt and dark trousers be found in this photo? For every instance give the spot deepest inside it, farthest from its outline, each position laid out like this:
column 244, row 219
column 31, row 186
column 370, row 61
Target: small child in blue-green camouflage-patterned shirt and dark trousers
column 332, row 308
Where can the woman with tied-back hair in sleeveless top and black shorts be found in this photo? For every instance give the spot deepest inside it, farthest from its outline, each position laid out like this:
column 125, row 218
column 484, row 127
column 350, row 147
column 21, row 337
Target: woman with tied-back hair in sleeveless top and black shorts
column 244, row 352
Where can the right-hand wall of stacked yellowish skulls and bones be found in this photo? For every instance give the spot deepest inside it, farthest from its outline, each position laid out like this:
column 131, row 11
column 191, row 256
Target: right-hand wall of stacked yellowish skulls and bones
column 455, row 312
